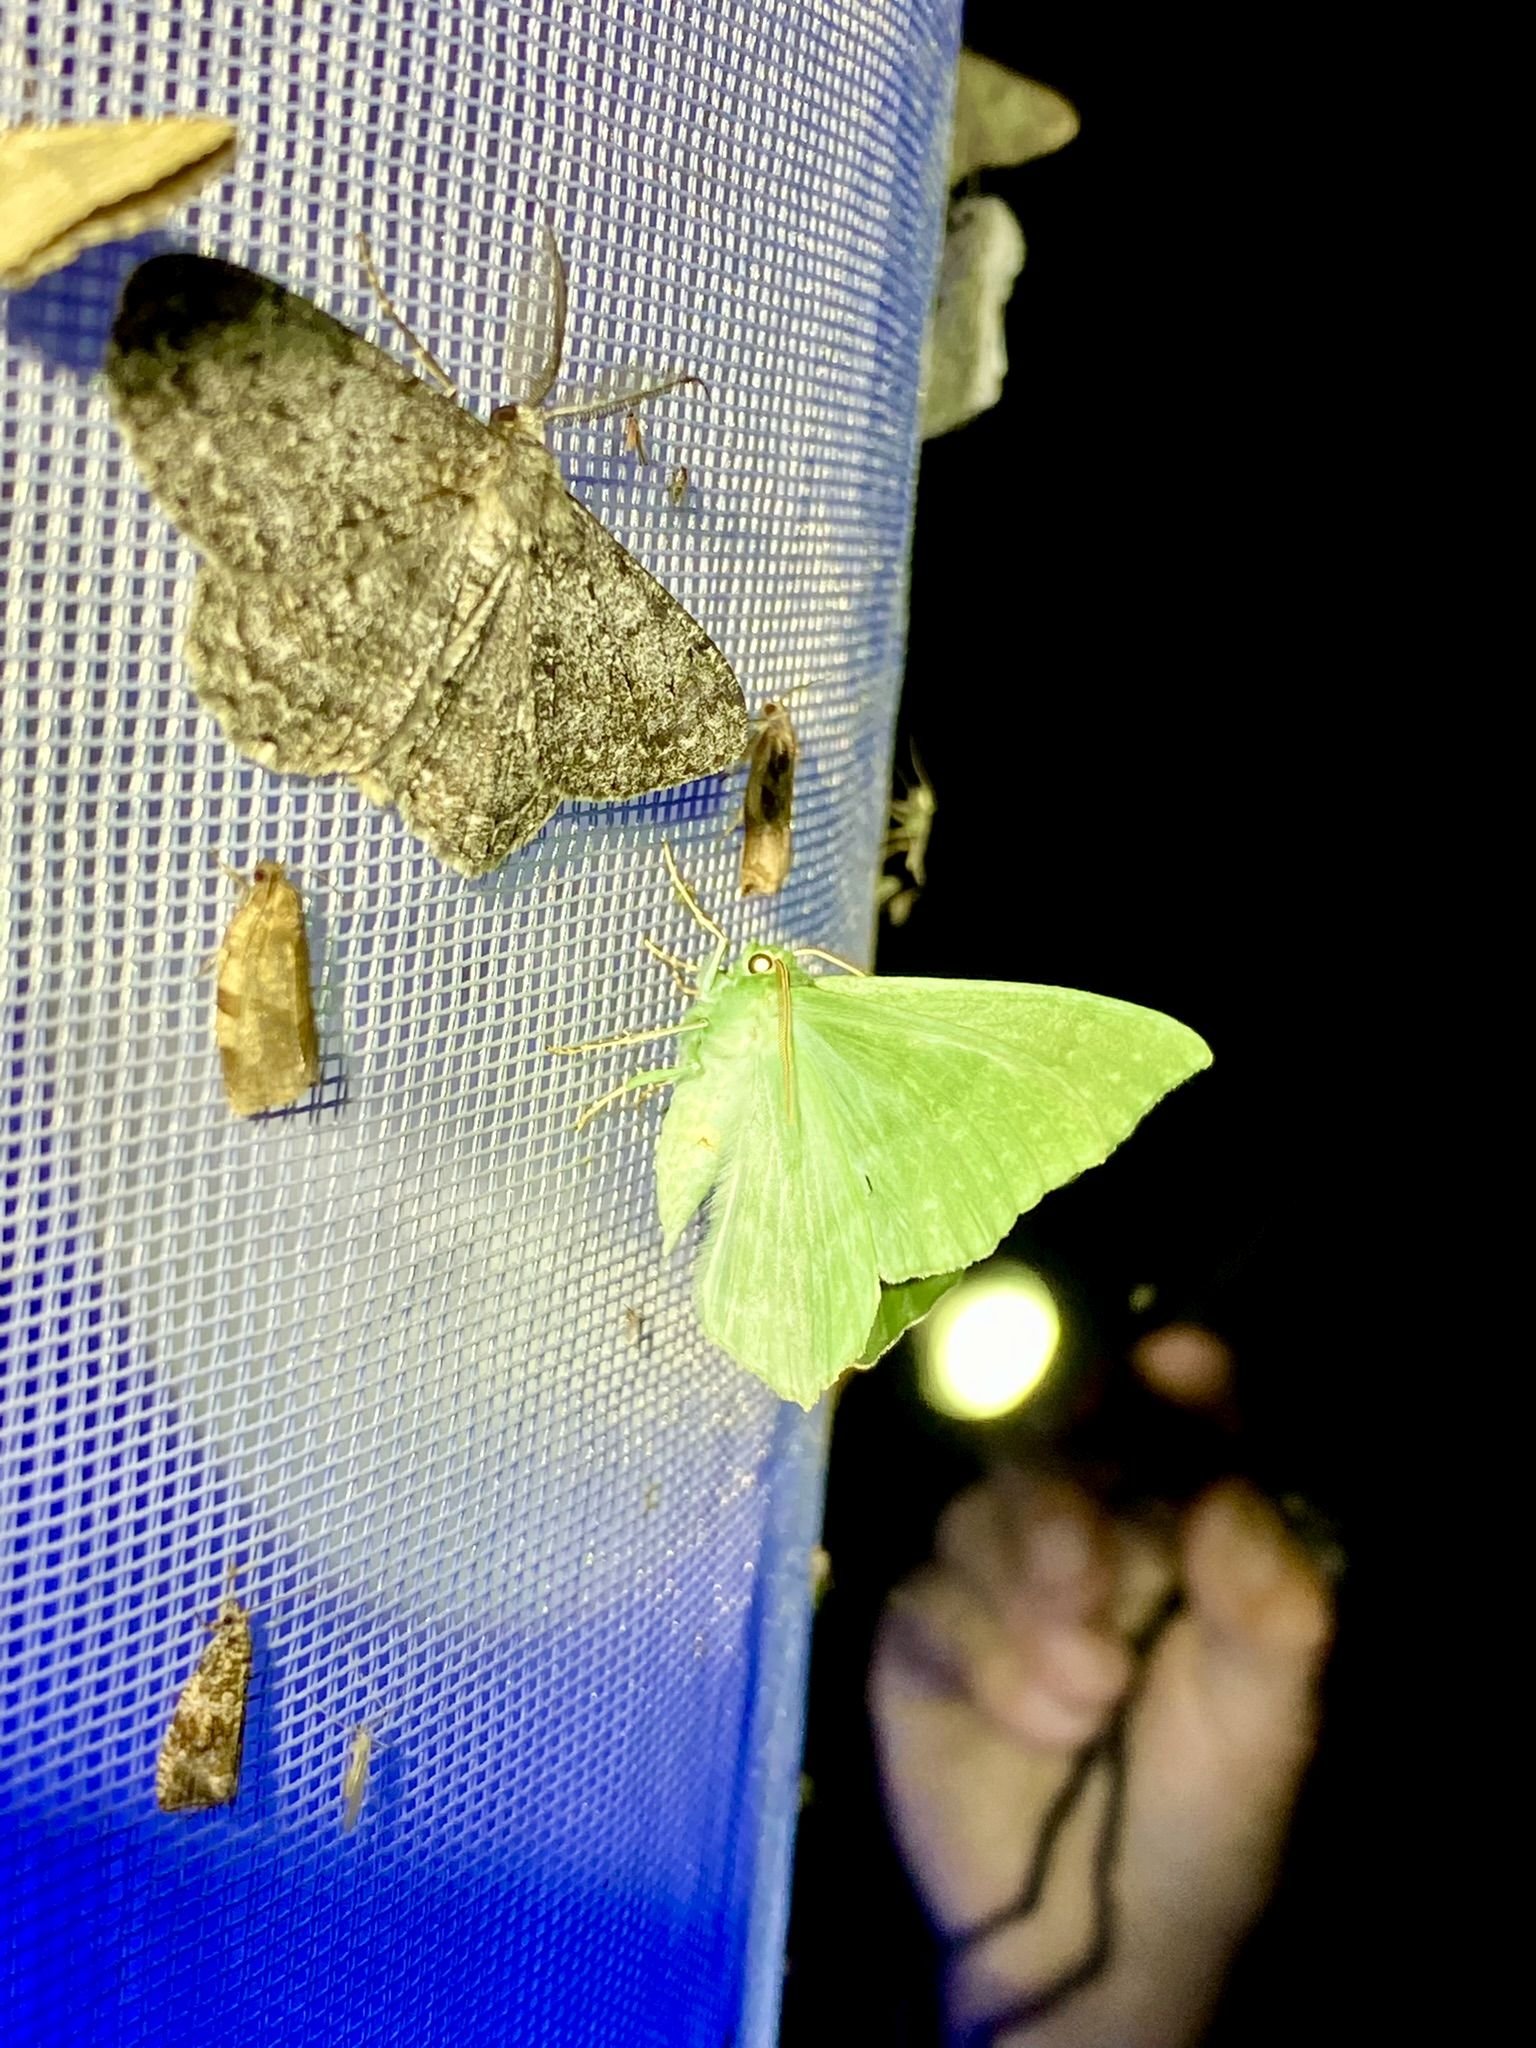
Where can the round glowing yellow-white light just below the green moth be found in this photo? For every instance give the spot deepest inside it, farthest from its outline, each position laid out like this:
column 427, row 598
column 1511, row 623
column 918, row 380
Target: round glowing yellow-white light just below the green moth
column 990, row 1342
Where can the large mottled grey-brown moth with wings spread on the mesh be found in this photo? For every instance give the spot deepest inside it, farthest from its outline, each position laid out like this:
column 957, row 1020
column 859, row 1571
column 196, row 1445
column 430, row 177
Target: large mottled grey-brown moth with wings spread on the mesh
column 392, row 589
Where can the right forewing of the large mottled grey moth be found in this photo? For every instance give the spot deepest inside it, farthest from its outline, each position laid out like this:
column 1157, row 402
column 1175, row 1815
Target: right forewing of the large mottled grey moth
column 632, row 693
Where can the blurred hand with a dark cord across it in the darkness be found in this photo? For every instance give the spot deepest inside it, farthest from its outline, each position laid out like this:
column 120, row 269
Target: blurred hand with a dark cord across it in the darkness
column 1013, row 1652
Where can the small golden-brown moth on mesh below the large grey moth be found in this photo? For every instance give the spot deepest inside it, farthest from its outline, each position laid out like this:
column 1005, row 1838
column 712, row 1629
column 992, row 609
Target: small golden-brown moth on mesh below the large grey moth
column 265, row 1021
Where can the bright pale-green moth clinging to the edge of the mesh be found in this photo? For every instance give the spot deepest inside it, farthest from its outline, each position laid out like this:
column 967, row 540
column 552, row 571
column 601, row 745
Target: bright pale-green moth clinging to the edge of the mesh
column 861, row 1140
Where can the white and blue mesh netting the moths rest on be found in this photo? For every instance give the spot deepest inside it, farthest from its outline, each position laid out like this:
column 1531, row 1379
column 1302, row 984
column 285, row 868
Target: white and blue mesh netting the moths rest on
column 409, row 1353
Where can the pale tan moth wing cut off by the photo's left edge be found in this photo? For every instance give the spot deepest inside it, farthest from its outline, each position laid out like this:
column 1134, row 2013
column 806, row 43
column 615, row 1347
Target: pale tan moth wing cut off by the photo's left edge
column 67, row 189
